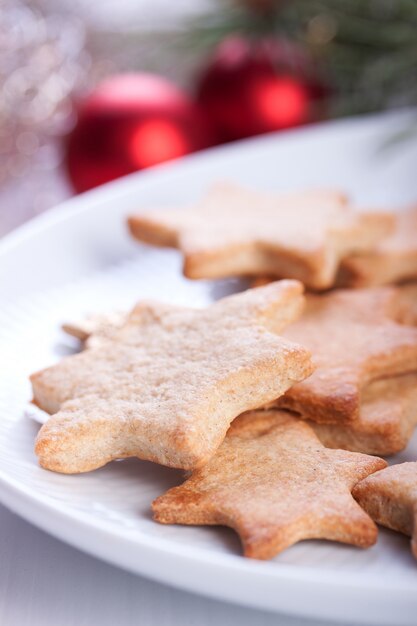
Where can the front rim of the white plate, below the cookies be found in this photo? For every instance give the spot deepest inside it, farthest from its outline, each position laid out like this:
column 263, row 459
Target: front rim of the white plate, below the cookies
column 370, row 605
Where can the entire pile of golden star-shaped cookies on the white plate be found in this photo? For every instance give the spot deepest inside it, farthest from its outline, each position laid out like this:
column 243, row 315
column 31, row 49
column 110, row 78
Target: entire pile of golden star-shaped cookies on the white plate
column 279, row 404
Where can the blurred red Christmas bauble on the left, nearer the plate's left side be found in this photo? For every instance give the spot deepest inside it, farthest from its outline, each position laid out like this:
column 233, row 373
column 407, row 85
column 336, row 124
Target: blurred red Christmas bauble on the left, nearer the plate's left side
column 130, row 122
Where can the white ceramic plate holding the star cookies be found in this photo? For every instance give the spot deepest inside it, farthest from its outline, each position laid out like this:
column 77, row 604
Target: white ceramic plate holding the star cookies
column 79, row 258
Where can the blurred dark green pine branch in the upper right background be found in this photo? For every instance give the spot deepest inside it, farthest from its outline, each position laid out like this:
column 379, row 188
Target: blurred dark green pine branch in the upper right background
column 365, row 49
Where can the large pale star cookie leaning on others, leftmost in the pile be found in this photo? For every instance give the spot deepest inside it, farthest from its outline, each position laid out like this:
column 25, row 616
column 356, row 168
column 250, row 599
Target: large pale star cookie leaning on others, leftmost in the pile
column 167, row 384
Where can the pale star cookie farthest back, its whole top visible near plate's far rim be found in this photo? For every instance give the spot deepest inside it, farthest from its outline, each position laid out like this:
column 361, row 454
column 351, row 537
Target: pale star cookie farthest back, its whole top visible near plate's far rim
column 237, row 232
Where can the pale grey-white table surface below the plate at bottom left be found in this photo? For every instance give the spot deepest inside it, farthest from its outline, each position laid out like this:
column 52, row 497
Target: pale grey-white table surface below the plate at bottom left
column 44, row 582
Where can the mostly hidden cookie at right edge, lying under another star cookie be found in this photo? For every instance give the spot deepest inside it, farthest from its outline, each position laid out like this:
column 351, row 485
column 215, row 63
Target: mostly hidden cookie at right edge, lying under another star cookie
column 388, row 417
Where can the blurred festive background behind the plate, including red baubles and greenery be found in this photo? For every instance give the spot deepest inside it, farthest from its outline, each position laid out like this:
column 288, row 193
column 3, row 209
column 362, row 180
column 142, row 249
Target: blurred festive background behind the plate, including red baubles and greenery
column 93, row 91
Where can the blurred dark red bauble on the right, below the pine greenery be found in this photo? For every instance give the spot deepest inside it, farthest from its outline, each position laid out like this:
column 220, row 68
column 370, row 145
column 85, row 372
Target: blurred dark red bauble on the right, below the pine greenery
column 251, row 88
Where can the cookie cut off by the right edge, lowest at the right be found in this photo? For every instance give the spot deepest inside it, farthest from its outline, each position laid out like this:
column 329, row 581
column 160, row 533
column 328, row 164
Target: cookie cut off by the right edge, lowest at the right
column 390, row 498
